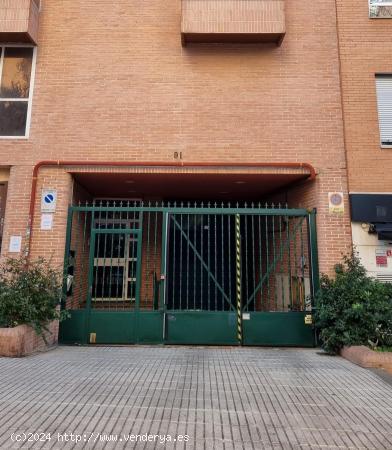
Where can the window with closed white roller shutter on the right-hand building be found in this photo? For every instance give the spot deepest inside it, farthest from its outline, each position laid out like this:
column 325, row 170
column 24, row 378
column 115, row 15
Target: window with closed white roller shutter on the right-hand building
column 384, row 101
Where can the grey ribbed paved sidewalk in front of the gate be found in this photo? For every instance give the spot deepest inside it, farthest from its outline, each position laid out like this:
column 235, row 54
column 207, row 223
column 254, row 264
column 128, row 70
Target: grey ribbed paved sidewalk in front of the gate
column 222, row 398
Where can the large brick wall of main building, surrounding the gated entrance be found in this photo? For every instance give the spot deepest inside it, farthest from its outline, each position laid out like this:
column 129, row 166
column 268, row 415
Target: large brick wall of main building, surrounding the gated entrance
column 113, row 82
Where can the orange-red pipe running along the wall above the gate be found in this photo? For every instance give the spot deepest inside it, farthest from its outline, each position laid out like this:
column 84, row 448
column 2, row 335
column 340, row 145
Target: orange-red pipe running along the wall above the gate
column 312, row 173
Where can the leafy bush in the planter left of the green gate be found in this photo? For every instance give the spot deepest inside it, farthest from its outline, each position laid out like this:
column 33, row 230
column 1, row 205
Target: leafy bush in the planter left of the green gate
column 29, row 294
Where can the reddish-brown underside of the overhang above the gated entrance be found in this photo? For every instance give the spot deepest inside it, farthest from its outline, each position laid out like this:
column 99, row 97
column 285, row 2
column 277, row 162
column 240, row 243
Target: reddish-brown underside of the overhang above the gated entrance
column 188, row 183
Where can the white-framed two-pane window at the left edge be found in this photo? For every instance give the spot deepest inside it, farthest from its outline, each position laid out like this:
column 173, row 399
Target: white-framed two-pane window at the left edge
column 16, row 81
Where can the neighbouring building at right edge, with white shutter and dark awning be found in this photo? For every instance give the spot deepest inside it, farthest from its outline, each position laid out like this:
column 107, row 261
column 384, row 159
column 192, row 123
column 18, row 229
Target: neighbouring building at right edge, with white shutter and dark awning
column 364, row 32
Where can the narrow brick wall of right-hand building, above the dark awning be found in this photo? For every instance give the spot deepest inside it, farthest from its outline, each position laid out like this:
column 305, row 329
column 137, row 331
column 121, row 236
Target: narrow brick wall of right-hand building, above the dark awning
column 365, row 49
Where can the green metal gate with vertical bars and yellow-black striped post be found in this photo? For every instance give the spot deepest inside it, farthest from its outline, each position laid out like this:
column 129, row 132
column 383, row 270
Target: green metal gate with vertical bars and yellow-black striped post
column 182, row 273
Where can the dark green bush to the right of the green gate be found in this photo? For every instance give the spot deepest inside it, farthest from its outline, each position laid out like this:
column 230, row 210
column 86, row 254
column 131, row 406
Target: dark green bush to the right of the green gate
column 353, row 309
